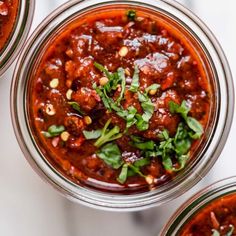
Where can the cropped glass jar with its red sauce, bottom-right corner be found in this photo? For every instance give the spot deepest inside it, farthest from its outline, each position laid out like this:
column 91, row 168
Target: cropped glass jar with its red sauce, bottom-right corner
column 211, row 211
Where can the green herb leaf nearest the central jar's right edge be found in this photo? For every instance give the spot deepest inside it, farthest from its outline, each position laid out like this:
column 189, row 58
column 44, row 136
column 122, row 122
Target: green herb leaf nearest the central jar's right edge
column 193, row 124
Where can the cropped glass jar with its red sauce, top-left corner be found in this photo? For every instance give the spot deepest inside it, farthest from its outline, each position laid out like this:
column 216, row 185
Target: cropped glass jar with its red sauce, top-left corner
column 17, row 17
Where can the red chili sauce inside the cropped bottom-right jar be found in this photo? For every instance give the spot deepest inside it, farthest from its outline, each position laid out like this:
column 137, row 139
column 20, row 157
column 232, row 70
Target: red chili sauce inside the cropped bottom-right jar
column 217, row 218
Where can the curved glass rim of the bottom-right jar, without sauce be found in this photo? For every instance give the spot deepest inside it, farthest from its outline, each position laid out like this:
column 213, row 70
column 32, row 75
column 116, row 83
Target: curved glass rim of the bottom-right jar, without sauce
column 219, row 190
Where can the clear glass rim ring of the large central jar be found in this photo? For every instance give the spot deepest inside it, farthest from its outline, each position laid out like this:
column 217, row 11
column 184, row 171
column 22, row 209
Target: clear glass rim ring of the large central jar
column 135, row 201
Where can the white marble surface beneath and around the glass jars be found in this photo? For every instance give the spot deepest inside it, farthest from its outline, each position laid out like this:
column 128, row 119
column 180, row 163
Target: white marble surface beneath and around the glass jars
column 28, row 206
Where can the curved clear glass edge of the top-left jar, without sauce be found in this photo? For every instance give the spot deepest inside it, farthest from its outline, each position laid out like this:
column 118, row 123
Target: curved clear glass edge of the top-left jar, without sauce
column 18, row 34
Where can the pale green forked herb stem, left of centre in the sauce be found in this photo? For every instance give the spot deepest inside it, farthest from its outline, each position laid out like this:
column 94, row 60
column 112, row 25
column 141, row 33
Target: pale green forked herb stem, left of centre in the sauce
column 108, row 135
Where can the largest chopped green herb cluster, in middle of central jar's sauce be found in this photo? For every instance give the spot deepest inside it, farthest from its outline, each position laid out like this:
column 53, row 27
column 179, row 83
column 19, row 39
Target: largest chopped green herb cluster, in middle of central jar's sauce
column 130, row 115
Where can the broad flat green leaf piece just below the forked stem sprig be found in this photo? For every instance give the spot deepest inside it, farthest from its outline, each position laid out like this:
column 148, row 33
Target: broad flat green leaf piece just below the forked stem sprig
column 111, row 155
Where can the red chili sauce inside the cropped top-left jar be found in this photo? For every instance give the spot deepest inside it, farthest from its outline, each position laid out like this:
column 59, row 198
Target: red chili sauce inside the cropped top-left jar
column 8, row 13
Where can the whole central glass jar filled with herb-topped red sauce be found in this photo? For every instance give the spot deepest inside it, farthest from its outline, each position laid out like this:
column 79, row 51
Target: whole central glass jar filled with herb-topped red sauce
column 122, row 105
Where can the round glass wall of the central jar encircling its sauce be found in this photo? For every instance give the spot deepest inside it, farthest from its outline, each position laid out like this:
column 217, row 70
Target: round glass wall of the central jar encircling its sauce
column 216, row 66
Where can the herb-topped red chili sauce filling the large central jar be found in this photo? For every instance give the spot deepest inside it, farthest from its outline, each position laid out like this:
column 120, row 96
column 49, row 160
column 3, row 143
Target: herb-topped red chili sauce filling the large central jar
column 119, row 102
